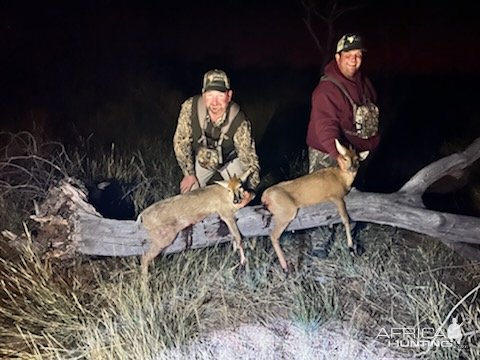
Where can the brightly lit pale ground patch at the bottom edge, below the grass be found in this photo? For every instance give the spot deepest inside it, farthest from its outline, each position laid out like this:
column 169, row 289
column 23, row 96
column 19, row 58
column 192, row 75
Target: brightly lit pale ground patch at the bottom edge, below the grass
column 282, row 340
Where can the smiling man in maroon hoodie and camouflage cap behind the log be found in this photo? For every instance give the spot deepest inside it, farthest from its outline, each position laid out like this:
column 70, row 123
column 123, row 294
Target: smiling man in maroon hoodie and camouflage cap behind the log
column 343, row 108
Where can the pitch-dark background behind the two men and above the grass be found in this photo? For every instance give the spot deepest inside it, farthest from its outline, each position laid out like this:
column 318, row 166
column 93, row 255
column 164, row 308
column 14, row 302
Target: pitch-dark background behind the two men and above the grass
column 117, row 71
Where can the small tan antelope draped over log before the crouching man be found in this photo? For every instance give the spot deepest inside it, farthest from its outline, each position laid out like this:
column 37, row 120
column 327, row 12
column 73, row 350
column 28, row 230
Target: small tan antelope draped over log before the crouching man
column 165, row 219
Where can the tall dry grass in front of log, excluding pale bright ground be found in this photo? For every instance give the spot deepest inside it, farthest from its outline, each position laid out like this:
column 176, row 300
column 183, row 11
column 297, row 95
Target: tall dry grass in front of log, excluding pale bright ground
column 100, row 309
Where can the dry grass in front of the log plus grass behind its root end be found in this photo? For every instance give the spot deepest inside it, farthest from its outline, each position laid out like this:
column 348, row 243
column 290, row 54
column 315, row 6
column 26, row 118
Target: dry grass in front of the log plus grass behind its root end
column 91, row 308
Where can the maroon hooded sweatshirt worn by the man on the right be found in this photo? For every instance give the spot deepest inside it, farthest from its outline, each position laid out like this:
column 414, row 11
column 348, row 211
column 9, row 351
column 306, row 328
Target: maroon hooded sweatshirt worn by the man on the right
column 331, row 115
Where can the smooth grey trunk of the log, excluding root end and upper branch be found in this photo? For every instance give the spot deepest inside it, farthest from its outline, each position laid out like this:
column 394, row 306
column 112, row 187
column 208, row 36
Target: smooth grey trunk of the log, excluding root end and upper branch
column 98, row 236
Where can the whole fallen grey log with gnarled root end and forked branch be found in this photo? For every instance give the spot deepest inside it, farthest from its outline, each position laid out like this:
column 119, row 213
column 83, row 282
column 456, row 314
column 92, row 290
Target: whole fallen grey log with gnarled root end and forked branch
column 78, row 228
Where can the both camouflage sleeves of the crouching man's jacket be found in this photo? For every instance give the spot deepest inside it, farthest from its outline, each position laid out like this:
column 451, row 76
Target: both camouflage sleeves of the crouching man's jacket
column 243, row 142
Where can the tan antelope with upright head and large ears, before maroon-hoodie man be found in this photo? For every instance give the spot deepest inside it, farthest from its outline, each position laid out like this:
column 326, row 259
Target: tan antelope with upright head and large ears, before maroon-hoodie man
column 330, row 184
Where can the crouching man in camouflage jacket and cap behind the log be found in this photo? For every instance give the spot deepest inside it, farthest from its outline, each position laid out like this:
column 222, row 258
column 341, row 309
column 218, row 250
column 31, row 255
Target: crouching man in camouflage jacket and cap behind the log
column 214, row 136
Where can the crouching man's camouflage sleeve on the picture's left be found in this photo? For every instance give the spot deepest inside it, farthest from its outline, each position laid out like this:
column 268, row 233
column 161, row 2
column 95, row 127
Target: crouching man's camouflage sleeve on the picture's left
column 183, row 138
